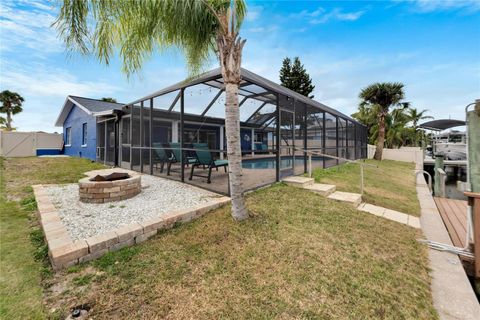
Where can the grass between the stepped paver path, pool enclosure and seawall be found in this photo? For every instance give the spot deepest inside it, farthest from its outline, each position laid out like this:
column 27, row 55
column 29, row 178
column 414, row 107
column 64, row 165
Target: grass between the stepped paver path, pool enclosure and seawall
column 391, row 184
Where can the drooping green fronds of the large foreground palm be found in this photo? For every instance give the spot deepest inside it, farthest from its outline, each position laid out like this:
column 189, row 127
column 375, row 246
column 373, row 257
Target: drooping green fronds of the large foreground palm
column 138, row 29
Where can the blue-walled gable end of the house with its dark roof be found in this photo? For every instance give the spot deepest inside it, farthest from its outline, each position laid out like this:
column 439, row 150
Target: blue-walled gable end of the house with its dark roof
column 78, row 120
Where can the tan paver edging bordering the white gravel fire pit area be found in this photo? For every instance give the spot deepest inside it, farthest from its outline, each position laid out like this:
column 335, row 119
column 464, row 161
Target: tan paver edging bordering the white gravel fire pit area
column 65, row 252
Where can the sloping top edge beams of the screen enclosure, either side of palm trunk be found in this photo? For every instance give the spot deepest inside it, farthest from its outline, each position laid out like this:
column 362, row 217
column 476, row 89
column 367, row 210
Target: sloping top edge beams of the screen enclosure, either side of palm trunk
column 214, row 78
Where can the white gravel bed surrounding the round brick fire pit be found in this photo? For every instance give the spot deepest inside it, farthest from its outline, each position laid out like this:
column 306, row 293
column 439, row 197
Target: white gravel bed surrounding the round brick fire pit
column 158, row 196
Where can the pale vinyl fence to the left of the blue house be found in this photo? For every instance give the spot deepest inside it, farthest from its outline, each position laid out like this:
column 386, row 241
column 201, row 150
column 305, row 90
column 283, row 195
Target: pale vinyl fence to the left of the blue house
column 29, row 144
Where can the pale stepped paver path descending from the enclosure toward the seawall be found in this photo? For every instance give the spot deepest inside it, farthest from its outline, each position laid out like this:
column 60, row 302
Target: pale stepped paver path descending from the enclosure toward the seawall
column 355, row 199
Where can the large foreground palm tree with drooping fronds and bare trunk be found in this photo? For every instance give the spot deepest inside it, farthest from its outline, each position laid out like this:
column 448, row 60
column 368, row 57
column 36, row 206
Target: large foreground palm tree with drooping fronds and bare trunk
column 140, row 28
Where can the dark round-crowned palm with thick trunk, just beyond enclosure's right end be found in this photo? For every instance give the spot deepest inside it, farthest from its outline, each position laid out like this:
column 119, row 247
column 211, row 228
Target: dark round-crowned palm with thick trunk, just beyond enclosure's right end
column 382, row 96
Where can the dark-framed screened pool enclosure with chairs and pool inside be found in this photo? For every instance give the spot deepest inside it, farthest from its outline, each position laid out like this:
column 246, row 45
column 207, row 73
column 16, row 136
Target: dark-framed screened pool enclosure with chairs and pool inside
column 179, row 133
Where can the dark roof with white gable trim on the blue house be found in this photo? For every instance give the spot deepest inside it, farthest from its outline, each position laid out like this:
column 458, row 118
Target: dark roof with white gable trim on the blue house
column 88, row 105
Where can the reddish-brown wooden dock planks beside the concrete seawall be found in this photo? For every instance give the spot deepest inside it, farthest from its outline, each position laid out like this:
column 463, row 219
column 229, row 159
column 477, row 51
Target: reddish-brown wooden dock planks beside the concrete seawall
column 454, row 215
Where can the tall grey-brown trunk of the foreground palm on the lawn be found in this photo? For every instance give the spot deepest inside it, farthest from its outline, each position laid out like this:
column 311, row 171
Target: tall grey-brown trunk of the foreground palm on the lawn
column 230, row 57
